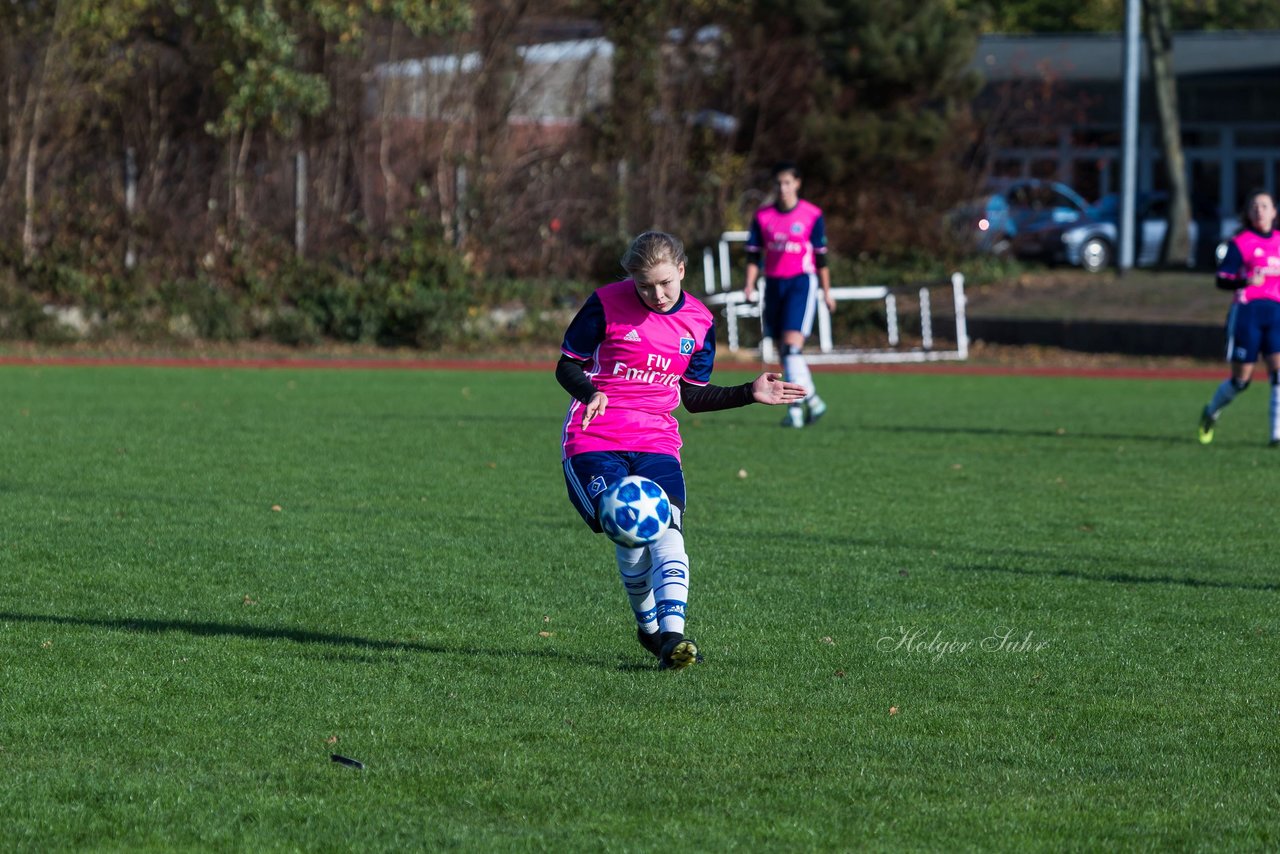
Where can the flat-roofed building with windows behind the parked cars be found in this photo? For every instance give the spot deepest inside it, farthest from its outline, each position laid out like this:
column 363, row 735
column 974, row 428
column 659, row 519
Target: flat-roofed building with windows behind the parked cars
column 1228, row 97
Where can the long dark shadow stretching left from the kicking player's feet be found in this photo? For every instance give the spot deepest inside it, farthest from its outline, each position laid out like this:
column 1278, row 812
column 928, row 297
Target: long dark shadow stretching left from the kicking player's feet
column 278, row 633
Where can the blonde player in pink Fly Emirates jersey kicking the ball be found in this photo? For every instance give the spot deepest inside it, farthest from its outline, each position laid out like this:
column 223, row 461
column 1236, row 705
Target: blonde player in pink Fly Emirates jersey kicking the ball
column 637, row 350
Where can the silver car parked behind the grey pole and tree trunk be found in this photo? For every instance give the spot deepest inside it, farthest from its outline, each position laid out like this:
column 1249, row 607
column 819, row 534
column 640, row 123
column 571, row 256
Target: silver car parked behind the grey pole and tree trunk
column 1092, row 244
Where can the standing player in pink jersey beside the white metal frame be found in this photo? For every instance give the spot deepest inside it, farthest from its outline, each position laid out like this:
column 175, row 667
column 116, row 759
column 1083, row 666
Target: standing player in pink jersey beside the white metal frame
column 789, row 238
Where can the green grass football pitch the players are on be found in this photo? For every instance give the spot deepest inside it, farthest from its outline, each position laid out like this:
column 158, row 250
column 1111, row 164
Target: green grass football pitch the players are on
column 216, row 579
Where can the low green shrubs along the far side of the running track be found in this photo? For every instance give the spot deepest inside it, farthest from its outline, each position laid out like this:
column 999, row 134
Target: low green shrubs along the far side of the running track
column 410, row 290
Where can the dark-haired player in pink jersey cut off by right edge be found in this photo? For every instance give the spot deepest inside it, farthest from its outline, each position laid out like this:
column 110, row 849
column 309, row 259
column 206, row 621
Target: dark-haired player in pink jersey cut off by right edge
column 1252, row 271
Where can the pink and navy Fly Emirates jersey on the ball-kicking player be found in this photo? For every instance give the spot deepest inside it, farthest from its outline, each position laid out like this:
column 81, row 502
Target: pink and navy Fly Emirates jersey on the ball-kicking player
column 638, row 358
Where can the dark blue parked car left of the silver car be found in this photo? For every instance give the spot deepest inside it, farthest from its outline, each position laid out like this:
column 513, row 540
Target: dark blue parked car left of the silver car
column 1012, row 207
